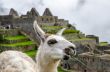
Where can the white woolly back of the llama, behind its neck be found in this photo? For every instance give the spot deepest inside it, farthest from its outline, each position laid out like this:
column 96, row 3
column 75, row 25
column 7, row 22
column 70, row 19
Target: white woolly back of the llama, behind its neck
column 14, row 61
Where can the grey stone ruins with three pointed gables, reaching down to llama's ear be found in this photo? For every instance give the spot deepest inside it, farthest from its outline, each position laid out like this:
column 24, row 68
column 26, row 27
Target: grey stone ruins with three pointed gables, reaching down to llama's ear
column 25, row 22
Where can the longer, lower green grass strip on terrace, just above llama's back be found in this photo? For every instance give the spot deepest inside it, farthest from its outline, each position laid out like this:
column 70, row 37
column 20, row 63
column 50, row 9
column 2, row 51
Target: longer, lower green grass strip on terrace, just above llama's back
column 18, row 44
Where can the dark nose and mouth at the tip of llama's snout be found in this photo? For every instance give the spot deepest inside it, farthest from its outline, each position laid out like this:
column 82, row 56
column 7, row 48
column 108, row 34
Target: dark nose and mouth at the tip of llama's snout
column 68, row 52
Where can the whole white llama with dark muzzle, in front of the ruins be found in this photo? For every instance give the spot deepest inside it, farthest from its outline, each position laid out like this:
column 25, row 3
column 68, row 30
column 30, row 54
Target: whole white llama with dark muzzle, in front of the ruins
column 52, row 49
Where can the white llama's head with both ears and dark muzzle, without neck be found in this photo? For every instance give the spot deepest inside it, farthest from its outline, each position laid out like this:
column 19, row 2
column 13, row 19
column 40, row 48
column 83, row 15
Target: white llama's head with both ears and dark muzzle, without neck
column 55, row 46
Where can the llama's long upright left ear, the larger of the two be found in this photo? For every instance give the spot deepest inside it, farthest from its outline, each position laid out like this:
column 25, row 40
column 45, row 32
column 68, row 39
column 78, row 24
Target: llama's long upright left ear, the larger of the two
column 39, row 32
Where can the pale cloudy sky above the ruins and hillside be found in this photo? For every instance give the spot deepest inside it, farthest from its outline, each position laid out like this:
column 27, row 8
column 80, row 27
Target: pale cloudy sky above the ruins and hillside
column 89, row 16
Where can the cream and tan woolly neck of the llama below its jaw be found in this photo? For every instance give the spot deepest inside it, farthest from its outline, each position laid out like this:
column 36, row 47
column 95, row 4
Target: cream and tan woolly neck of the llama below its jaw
column 45, row 64
